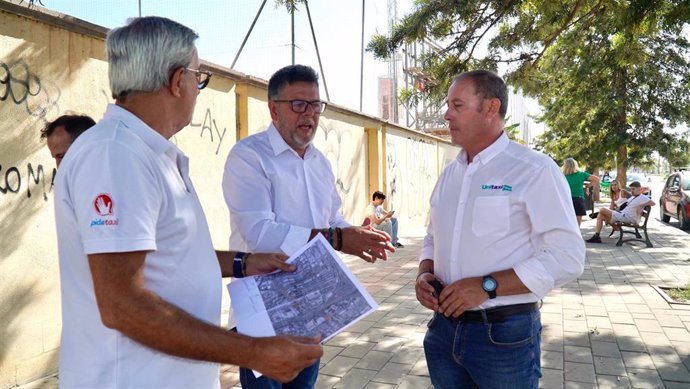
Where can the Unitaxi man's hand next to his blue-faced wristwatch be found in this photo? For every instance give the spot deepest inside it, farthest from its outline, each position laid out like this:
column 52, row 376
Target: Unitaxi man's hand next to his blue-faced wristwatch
column 461, row 295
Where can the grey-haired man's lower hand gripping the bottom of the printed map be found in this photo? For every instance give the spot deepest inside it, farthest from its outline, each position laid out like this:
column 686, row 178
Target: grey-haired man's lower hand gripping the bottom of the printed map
column 283, row 357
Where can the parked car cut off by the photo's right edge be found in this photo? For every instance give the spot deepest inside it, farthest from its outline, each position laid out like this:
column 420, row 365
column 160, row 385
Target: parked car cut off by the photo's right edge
column 675, row 199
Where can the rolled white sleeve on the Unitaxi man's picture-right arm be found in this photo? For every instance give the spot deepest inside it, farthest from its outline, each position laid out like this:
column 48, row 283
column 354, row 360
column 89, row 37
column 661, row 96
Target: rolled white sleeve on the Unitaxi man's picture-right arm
column 559, row 248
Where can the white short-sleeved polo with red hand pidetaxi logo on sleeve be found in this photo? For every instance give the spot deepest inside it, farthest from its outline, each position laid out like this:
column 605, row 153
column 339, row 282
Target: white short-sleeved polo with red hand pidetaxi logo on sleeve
column 122, row 187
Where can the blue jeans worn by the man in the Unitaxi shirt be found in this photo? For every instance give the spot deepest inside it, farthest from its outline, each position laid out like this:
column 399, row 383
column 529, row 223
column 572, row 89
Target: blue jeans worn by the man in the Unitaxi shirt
column 484, row 355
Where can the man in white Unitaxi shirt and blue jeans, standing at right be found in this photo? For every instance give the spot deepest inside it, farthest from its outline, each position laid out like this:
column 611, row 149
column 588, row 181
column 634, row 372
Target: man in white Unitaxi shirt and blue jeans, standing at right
column 501, row 235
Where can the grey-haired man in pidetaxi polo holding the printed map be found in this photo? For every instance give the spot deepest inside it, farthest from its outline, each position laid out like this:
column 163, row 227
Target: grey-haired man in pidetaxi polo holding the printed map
column 141, row 282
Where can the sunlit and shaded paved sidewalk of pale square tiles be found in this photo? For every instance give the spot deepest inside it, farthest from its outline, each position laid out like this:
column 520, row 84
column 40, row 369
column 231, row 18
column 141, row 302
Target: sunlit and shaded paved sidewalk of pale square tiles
column 608, row 329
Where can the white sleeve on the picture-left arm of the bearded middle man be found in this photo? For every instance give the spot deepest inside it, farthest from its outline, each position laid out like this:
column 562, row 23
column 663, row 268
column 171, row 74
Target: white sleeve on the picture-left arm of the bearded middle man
column 247, row 192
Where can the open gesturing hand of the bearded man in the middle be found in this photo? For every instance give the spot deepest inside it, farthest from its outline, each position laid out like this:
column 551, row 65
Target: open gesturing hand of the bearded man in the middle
column 366, row 243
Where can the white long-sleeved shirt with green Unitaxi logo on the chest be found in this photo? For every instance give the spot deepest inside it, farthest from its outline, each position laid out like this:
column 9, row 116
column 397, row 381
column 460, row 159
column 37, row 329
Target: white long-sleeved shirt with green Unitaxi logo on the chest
column 508, row 209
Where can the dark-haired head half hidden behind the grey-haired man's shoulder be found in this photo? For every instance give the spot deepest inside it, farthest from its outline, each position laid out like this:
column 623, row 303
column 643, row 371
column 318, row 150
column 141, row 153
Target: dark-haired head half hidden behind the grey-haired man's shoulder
column 61, row 132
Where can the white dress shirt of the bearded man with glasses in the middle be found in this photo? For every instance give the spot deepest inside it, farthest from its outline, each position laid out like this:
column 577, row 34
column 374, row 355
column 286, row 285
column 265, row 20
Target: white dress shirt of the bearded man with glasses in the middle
column 275, row 197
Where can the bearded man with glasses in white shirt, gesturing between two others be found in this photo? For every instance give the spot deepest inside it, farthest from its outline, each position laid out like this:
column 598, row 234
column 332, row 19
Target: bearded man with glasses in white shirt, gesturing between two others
column 281, row 193
